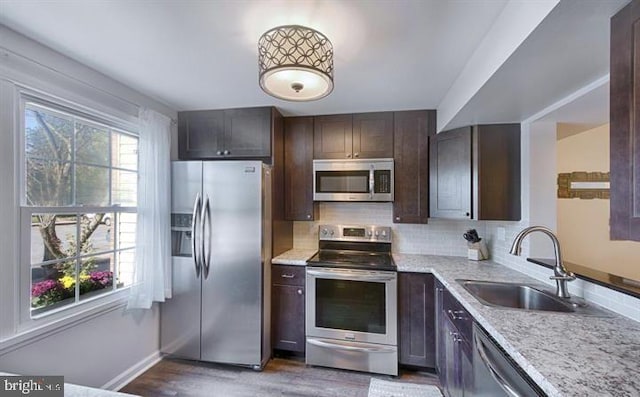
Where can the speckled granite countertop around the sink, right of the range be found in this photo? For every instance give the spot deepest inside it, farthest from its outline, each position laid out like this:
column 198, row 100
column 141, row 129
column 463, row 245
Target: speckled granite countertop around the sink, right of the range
column 566, row 354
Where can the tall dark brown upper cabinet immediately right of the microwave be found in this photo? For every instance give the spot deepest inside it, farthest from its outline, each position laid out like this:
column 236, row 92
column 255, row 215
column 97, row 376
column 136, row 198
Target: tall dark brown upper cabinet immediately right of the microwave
column 411, row 165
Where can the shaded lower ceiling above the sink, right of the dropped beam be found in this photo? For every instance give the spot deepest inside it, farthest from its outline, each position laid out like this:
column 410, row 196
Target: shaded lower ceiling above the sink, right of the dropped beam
column 566, row 52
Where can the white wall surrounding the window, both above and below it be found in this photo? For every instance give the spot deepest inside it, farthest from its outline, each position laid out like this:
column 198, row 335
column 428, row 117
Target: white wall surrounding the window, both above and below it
column 100, row 350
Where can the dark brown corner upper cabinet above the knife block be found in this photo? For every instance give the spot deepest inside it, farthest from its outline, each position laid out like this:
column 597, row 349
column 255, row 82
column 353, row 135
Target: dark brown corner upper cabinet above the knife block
column 475, row 173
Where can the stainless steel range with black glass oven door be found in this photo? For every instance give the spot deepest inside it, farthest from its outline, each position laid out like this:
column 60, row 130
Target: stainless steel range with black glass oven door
column 351, row 300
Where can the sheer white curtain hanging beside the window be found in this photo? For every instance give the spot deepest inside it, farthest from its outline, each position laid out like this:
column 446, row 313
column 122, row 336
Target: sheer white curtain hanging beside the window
column 151, row 277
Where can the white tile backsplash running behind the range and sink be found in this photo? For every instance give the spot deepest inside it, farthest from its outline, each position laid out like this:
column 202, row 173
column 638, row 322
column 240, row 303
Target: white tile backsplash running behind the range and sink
column 444, row 237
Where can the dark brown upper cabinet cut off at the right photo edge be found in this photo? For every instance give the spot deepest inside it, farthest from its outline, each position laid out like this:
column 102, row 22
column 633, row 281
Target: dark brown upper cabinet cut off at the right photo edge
column 625, row 123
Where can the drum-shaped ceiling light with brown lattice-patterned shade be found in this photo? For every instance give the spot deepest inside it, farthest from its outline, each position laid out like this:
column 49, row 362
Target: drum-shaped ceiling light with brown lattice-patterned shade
column 296, row 63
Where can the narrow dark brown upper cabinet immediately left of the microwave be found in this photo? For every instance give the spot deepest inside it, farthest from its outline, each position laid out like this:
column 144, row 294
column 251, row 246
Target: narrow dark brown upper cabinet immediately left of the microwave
column 298, row 169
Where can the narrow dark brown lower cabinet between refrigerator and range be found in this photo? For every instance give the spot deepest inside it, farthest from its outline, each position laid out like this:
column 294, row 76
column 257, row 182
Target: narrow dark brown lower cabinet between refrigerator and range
column 287, row 307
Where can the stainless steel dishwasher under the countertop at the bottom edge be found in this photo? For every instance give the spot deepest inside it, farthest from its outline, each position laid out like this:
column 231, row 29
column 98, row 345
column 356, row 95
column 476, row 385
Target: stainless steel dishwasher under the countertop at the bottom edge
column 495, row 373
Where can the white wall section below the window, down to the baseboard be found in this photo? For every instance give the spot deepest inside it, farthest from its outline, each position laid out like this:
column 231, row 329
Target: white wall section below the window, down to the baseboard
column 102, row 352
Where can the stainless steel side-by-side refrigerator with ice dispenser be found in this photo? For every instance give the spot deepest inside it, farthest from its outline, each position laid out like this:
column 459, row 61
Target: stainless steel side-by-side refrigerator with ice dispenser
column 219, row 310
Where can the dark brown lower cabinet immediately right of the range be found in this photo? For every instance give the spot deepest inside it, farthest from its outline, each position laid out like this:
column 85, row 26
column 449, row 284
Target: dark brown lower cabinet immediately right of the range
column 417, row 325
